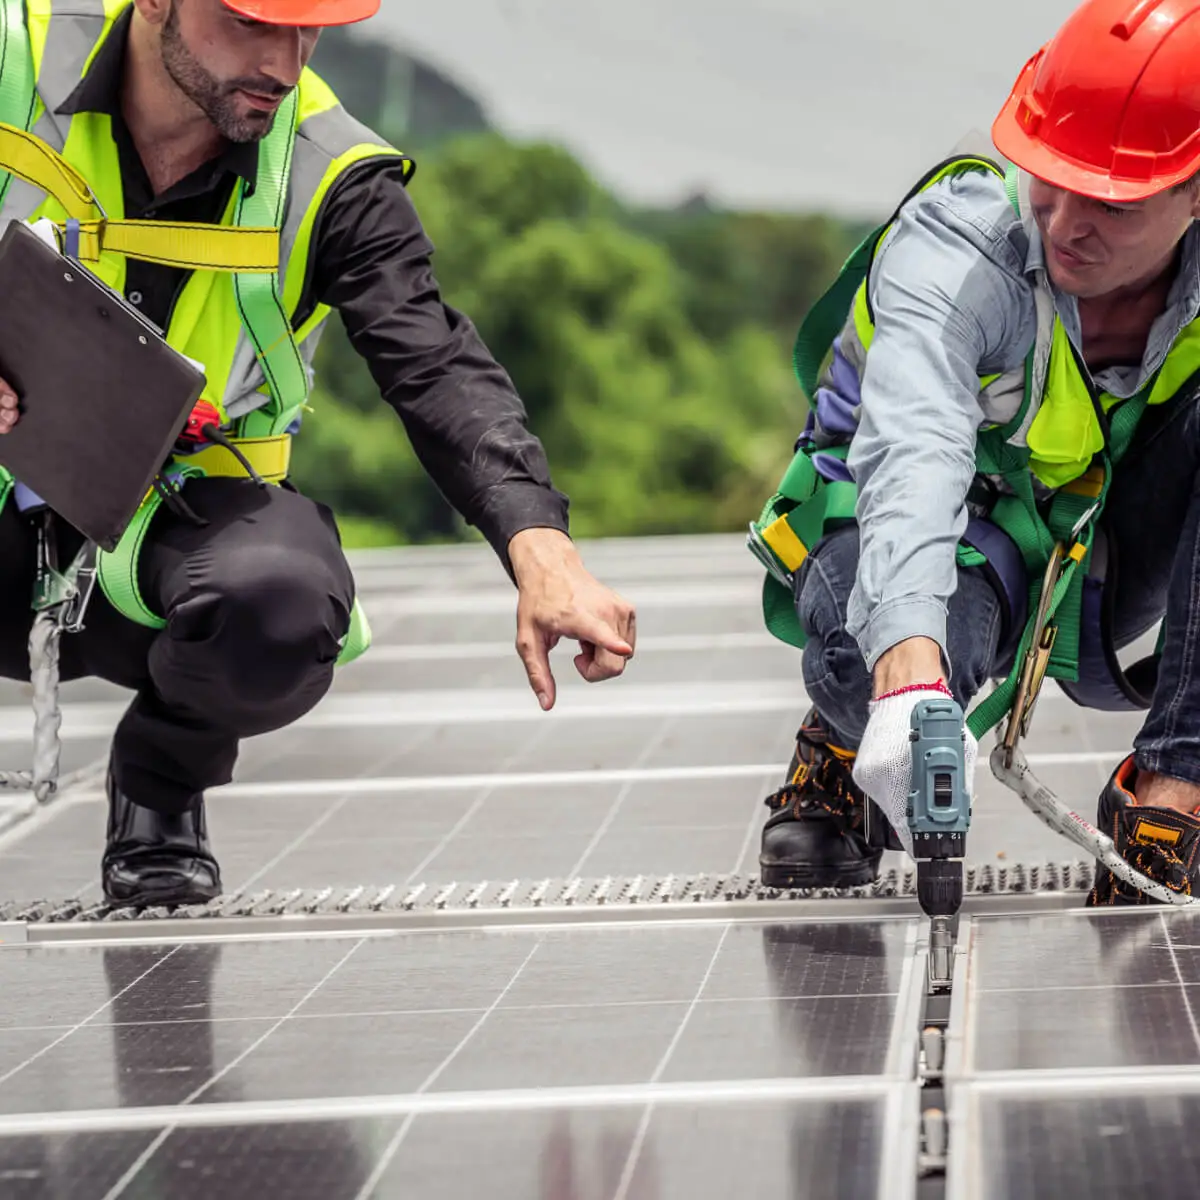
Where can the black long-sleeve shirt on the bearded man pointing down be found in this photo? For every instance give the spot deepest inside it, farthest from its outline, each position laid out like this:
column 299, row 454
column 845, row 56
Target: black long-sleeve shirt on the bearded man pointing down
column 373, row 266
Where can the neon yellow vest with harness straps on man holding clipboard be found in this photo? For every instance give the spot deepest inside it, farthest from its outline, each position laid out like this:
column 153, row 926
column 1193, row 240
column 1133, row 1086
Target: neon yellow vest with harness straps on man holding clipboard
column 238, row 310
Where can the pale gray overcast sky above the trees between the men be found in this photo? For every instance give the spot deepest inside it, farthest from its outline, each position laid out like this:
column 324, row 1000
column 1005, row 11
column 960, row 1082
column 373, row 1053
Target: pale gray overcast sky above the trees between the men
column 782, row 104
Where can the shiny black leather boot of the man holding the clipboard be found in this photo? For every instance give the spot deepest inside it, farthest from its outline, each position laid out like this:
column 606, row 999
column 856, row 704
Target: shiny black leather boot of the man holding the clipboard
column 155, row 859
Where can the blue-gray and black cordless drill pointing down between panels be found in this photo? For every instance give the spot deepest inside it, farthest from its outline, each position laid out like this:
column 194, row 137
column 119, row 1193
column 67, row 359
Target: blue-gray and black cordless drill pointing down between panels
column 939, row 814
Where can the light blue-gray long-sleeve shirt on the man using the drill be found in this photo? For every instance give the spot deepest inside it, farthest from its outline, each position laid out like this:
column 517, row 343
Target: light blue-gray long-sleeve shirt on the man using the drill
column 953, row 292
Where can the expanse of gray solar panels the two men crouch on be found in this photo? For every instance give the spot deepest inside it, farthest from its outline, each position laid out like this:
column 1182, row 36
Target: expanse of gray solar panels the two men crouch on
column 466, row 946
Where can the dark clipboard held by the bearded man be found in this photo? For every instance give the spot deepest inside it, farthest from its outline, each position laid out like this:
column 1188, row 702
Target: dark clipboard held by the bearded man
column 103, row 395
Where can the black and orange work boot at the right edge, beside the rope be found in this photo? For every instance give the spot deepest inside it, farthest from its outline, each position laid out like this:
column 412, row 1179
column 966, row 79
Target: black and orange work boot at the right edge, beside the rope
column 1162, row 844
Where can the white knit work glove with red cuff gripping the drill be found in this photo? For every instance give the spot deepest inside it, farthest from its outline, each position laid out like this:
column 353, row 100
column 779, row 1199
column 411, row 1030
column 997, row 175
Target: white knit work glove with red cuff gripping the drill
column 884, row 764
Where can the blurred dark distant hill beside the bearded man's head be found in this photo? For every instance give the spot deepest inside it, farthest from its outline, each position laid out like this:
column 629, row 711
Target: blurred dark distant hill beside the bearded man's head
column 403, row 98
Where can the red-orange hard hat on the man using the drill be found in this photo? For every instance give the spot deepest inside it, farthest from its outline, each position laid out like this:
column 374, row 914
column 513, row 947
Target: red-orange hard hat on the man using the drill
column 1111, row 107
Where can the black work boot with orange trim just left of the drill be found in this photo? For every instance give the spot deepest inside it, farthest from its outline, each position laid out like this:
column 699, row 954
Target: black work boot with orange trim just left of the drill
column 824, row 832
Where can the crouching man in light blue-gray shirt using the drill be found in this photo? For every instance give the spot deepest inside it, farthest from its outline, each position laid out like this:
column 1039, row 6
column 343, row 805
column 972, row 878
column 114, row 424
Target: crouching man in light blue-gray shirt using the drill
column 1085, row 265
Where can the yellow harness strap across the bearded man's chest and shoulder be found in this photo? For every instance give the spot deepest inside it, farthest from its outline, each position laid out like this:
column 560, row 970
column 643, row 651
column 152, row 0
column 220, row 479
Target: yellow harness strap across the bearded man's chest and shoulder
column 172, row 244
